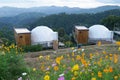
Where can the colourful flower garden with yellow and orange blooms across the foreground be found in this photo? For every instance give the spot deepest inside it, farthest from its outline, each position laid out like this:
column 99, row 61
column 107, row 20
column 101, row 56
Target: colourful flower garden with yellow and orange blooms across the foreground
column 97, row 62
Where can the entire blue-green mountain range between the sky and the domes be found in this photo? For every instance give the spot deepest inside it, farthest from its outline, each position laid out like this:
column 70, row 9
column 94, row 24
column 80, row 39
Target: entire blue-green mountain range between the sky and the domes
column 53, row 16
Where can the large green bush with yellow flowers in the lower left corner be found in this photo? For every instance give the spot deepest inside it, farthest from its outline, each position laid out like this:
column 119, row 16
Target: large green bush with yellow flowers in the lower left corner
column 12, row 64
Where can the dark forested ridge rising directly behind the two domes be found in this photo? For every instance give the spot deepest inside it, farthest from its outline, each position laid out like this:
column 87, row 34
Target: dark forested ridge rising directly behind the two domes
column 68, row 21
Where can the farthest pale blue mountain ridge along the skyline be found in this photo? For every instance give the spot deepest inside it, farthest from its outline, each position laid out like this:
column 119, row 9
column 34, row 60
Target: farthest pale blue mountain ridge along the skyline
column 12, row 11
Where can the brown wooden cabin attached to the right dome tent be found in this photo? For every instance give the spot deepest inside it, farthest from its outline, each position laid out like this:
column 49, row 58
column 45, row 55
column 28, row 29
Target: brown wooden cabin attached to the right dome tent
column 81, row 34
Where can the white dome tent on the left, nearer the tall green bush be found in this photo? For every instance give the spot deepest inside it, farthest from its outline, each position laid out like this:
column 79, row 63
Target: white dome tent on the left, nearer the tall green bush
column 43, row 35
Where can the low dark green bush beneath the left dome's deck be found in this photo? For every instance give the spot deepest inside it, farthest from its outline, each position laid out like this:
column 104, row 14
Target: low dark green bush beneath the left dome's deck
column 32, row 48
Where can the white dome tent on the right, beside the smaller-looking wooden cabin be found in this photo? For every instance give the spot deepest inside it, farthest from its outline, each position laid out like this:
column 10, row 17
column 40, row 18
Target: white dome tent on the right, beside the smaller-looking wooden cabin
column 100, row 32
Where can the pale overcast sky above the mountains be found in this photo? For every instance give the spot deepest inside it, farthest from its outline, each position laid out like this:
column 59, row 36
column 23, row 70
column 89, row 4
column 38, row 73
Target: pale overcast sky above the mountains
column 69, row 3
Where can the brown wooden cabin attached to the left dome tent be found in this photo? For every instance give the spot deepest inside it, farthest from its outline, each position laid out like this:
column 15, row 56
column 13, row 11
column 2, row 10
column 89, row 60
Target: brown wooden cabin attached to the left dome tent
column 22, row 36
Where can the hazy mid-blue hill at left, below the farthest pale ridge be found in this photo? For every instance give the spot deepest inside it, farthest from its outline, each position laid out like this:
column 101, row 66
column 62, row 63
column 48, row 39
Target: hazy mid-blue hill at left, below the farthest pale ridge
column 21, row 19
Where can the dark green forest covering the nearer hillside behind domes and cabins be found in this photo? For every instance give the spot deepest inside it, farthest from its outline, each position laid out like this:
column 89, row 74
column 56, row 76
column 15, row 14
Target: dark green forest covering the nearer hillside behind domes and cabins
column 64, row 23
